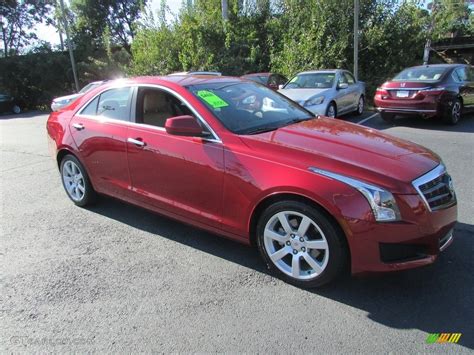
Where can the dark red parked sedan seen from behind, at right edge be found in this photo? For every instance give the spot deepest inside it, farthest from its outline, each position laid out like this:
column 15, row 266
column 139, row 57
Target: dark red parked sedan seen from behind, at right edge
column 441, row 90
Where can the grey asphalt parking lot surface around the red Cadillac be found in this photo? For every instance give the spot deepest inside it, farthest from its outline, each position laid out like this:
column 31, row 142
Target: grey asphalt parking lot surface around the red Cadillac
column 116, row 278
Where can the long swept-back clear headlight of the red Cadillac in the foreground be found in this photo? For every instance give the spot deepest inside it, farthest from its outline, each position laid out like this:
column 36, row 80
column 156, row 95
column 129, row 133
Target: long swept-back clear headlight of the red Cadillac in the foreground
column 382, row 202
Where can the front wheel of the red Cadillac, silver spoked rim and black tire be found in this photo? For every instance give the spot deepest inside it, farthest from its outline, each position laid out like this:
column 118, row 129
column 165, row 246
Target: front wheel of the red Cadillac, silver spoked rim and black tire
column 300, row 244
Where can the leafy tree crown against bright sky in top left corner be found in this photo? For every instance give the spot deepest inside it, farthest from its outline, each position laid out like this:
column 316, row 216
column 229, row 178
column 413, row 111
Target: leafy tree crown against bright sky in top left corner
column 17, row 19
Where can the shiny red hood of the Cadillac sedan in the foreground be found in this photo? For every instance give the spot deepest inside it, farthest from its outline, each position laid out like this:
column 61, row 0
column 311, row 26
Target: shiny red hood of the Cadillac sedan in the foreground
column 348, row 149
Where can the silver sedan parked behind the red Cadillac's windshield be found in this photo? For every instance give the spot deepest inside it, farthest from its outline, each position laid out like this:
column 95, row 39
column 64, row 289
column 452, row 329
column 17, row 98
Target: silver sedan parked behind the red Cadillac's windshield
column 326, row 92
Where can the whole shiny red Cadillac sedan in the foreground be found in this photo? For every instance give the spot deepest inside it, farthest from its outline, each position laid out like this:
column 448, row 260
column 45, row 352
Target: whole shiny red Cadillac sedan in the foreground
column 238, row 159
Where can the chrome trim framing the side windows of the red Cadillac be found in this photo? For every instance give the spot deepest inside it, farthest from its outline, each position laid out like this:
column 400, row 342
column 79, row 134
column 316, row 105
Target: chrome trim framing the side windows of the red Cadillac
column 215, row 139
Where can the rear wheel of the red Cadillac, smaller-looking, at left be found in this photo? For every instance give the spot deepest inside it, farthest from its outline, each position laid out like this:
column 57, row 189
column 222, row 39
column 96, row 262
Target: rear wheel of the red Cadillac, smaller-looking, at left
column 89, row 196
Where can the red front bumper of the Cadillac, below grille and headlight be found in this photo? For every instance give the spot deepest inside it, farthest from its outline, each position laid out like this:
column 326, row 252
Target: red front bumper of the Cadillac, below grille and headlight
column 416, row 241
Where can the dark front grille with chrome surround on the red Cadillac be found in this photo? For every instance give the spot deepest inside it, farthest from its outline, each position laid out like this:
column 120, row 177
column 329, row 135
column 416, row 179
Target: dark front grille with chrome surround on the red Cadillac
column 436, row 189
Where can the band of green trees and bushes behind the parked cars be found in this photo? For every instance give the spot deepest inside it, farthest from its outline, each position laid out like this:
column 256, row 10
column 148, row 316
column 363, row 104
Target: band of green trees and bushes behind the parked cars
column 113, row 37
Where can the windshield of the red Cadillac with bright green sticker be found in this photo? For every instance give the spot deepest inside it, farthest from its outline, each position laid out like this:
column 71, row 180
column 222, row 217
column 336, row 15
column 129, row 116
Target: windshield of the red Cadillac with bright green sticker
column 247, row 107
